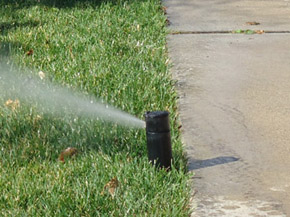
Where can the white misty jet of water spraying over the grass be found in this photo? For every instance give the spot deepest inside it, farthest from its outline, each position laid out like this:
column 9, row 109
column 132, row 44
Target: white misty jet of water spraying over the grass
column 54, row 99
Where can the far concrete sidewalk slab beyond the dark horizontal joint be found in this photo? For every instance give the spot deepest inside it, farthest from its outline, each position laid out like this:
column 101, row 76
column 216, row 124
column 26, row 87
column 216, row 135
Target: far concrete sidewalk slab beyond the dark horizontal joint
column 224, row 15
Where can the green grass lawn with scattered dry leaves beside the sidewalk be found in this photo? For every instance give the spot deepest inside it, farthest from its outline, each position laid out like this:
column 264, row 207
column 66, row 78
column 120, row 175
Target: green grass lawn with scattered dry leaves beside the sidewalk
column 116, row 51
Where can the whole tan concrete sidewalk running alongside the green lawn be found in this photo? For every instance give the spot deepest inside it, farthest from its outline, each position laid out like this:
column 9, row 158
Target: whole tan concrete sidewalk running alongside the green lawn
column 235, row 103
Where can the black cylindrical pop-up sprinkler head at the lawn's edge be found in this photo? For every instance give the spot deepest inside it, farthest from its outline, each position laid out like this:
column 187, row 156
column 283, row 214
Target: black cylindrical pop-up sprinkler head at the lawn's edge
column 158, row 138
